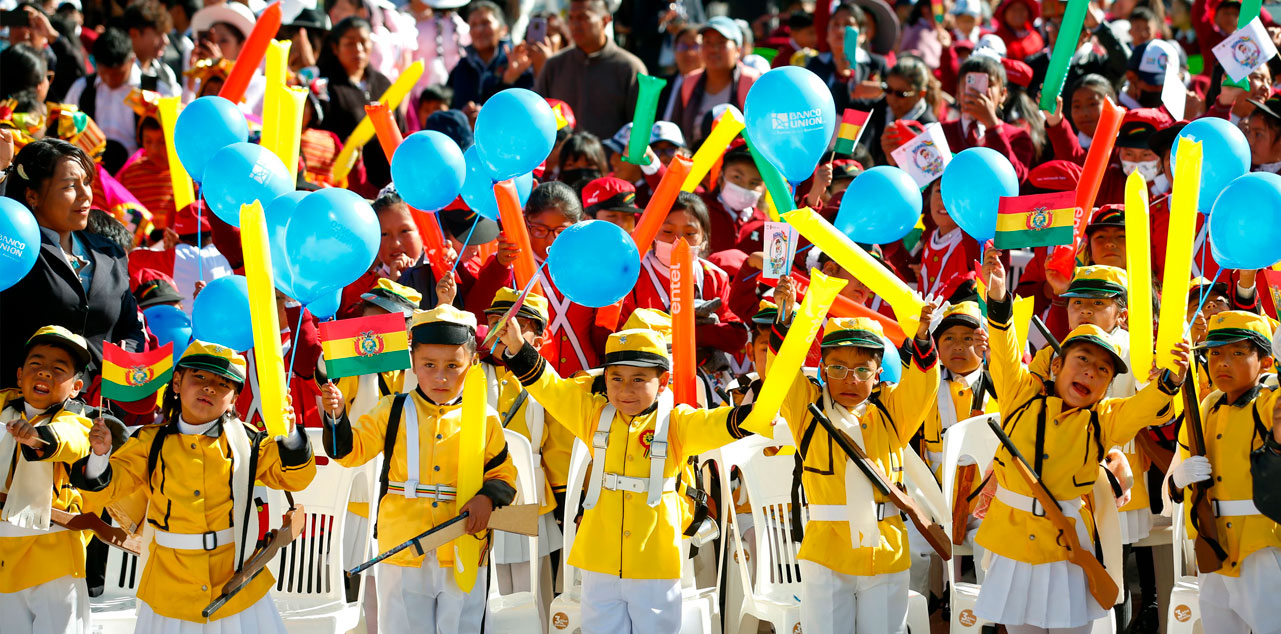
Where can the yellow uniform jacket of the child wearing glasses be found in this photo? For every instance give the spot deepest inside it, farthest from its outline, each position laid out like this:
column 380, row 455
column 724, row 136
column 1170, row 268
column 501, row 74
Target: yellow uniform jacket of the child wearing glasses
column 891, row 418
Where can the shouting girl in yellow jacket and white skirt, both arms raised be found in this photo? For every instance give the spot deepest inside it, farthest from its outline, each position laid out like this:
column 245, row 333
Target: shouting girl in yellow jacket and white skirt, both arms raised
column 1065, row 425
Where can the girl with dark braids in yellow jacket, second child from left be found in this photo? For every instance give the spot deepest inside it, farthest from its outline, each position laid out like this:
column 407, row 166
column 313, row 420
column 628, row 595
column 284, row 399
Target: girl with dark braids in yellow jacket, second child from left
column 199, row 469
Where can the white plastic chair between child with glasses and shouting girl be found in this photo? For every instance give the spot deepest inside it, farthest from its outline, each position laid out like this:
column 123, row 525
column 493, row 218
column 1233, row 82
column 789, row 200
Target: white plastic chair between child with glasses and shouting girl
column 973, row 439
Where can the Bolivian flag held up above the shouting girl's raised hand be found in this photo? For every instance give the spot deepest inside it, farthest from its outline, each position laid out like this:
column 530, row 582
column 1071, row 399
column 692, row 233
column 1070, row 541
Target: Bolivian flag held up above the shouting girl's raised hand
column 1042, row 220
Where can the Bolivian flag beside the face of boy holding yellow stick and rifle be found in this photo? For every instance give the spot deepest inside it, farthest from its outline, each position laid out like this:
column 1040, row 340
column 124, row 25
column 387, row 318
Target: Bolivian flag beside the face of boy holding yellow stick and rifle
column 366, row 345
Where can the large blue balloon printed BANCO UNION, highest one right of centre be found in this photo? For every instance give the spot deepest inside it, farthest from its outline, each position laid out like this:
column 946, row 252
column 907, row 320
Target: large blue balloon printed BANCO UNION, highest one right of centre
column 791, row 120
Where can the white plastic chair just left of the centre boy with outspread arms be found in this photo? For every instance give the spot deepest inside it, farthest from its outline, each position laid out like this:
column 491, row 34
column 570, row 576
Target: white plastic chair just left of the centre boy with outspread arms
column 519, row 612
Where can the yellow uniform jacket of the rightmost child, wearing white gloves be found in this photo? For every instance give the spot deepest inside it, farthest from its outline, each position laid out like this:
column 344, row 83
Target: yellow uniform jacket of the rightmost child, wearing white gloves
column 1232, row 432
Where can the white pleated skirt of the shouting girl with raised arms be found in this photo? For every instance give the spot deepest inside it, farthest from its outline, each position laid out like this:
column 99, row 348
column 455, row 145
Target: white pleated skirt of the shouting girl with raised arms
column 1041, row 595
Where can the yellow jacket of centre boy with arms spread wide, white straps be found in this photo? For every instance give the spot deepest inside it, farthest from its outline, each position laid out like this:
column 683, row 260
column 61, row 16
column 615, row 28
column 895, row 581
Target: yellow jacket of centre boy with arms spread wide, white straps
column 623, row 535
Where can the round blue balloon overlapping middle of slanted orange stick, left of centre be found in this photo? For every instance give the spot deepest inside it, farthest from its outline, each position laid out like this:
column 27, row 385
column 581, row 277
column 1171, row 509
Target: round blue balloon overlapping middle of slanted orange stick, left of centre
column 428, row 171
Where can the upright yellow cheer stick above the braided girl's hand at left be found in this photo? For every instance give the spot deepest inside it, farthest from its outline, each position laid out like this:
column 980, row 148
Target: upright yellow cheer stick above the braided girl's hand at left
column 265, row 320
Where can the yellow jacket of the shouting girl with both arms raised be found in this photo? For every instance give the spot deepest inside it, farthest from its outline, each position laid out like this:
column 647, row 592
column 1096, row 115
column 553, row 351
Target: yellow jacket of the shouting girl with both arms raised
column 1066, row 453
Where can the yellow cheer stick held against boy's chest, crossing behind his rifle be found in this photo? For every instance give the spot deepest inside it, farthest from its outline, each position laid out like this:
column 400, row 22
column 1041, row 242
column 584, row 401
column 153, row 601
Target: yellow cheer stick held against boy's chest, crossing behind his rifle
column 467, row 549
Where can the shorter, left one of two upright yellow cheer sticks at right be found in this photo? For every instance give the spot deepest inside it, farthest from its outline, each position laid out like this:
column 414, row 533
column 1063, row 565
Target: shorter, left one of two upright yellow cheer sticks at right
column 1138, row 256
